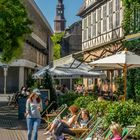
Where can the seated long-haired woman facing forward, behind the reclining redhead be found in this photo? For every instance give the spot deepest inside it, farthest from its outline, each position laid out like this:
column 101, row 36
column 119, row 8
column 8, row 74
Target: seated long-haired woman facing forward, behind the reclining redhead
column 84, row 119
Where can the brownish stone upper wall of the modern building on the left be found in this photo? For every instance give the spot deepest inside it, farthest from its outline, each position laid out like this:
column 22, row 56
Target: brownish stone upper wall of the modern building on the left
column 32, row 51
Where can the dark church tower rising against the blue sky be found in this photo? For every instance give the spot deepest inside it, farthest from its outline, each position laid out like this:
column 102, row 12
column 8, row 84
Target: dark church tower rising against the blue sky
column 59, row 22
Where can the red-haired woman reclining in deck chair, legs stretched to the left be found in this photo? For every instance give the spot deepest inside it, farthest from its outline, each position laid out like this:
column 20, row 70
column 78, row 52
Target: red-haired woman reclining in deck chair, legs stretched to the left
column 62, row 126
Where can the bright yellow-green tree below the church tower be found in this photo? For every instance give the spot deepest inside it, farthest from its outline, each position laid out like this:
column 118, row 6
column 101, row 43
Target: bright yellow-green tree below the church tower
column 56, row 38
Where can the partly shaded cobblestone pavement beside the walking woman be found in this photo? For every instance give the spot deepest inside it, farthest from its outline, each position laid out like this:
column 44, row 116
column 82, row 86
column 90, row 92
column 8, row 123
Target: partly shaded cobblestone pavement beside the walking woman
column 10, row 127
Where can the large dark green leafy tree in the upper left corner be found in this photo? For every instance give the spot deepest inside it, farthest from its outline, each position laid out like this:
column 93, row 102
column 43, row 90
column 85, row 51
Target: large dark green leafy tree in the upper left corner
column 14, row 25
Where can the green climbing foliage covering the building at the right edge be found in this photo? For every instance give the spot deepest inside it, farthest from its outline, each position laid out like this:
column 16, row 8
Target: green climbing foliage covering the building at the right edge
column 131, row 25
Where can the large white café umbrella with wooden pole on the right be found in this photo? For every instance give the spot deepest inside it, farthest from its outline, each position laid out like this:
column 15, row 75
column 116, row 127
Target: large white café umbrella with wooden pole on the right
column 121, row 60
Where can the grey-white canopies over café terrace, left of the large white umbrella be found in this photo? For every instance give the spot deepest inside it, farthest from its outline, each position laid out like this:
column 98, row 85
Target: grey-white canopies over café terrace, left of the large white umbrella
column 68, row 67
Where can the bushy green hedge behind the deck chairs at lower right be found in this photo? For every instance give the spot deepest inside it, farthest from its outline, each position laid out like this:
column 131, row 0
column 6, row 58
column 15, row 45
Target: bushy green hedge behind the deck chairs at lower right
column 125, row 113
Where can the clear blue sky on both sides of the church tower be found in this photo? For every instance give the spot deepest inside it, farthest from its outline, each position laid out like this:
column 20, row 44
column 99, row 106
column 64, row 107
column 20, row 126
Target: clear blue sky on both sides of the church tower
column 71, row 8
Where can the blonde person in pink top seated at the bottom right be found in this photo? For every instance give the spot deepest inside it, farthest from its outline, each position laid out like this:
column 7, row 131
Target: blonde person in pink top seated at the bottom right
column 116, row 130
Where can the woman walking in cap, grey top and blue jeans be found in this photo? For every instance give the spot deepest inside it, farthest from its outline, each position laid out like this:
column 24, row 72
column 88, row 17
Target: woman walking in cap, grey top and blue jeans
column 33, row 117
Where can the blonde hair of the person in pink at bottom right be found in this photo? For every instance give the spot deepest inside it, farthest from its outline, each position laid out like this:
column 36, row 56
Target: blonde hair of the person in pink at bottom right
column 115, row 127
